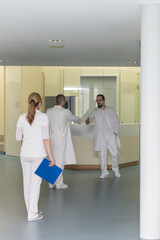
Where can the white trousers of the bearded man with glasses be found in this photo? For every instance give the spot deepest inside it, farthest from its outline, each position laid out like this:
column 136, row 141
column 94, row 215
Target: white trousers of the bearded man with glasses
column 109, row 143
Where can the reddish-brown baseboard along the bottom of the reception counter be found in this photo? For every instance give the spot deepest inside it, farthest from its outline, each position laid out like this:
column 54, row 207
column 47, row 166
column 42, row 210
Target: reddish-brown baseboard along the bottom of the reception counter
column 96, row 167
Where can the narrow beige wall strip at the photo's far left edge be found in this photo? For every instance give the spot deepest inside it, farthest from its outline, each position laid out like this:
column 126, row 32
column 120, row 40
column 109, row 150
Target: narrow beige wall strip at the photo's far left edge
column 2, row 100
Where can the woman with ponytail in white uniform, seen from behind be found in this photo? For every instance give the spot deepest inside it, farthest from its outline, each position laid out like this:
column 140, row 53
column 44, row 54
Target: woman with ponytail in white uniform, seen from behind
column 33, row 131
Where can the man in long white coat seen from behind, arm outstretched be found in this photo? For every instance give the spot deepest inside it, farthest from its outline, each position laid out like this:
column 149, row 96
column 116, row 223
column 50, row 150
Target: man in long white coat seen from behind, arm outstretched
column 60, row 135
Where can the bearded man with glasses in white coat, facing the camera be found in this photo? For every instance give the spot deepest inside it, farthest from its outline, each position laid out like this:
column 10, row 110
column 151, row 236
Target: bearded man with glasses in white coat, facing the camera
column 105, row 135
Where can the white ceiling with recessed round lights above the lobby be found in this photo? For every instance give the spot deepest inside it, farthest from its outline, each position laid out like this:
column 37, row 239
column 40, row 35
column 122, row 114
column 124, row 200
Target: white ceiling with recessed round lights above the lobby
column 94, row 32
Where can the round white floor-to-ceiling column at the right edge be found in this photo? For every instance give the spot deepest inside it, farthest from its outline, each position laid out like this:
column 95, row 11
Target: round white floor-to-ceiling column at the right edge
column 150, row 121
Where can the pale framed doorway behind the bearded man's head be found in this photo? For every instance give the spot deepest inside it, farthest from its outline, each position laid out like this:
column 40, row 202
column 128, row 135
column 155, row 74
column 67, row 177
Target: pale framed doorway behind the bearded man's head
column 90, row 87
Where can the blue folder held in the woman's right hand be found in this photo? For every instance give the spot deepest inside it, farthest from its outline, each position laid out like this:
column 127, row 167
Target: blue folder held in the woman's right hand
column 50, row 174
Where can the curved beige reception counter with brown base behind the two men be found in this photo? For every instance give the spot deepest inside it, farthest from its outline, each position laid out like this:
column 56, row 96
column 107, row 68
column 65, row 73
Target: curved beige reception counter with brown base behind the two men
column 82, row 136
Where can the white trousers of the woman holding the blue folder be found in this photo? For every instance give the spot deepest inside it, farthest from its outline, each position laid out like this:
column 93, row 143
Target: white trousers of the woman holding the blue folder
column 31, row 184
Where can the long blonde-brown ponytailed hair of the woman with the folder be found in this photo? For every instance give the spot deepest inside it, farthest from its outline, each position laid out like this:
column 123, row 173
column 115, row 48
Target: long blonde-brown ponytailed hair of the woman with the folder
column 33, row 100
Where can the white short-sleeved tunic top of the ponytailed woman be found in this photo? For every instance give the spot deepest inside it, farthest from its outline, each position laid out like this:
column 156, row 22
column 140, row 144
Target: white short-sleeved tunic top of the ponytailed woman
column 32, row 135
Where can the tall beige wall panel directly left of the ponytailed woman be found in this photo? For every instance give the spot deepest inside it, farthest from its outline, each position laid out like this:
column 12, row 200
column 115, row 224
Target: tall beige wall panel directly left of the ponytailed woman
column 13, row 108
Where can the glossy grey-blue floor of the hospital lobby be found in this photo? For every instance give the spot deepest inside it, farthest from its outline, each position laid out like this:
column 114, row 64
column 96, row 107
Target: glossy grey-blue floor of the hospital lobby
column 90, row 209
